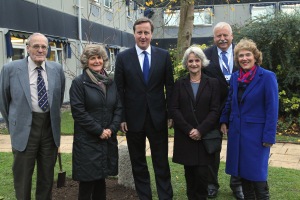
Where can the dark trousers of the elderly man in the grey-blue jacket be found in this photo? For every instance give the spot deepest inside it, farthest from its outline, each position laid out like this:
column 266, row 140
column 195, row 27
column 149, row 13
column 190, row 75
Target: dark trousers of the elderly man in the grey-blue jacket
column 42, row 150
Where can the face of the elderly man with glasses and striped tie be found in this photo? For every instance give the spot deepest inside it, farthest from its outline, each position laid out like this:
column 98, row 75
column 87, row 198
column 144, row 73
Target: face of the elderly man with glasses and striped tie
column 37, row 48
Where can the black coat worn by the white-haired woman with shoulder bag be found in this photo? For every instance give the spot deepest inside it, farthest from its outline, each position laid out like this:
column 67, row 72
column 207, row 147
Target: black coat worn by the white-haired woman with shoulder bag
column 206, row 108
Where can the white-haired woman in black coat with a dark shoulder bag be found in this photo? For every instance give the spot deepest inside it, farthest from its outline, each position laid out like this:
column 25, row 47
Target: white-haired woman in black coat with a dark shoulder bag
column 194, row 108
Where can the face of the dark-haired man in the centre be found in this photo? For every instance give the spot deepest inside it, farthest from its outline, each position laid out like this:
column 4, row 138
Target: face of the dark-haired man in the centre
column 143, row 35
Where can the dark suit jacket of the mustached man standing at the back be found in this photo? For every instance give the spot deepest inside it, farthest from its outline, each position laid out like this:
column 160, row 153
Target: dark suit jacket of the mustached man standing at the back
column 214, row 70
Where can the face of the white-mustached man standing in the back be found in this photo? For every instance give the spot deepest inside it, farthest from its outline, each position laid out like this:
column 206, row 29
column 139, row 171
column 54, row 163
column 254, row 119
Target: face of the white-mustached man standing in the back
column 223, row 37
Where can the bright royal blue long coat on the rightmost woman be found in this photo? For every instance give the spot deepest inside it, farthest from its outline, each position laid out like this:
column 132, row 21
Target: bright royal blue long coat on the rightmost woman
column 252, row 122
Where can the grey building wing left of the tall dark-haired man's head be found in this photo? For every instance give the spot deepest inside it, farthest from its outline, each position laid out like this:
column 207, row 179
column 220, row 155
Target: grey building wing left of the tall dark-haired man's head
column 68, row 25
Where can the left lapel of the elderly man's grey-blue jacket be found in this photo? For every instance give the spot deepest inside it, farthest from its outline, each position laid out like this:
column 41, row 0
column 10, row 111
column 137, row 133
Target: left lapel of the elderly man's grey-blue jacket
column 24, row 80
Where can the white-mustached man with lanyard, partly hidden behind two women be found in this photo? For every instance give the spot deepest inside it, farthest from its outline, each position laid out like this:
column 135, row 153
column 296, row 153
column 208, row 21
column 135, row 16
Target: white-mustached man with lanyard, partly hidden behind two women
column 221, row 67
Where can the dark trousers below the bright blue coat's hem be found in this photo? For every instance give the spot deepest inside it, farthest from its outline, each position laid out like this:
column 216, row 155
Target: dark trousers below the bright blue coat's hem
column 255, row 190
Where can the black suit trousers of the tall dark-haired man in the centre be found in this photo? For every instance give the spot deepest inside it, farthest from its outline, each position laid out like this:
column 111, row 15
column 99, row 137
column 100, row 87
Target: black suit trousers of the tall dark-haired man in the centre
column 158, row 140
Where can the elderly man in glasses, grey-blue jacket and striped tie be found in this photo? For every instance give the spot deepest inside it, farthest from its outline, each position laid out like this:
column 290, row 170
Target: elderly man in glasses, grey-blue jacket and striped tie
column 32, row 117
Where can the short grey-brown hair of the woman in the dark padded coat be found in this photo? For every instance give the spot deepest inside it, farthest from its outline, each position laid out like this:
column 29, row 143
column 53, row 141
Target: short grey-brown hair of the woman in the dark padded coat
column 93, row 50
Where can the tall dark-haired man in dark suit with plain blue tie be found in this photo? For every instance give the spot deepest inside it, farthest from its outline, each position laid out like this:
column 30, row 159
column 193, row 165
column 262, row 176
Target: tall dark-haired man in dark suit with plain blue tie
column 142, row 73
